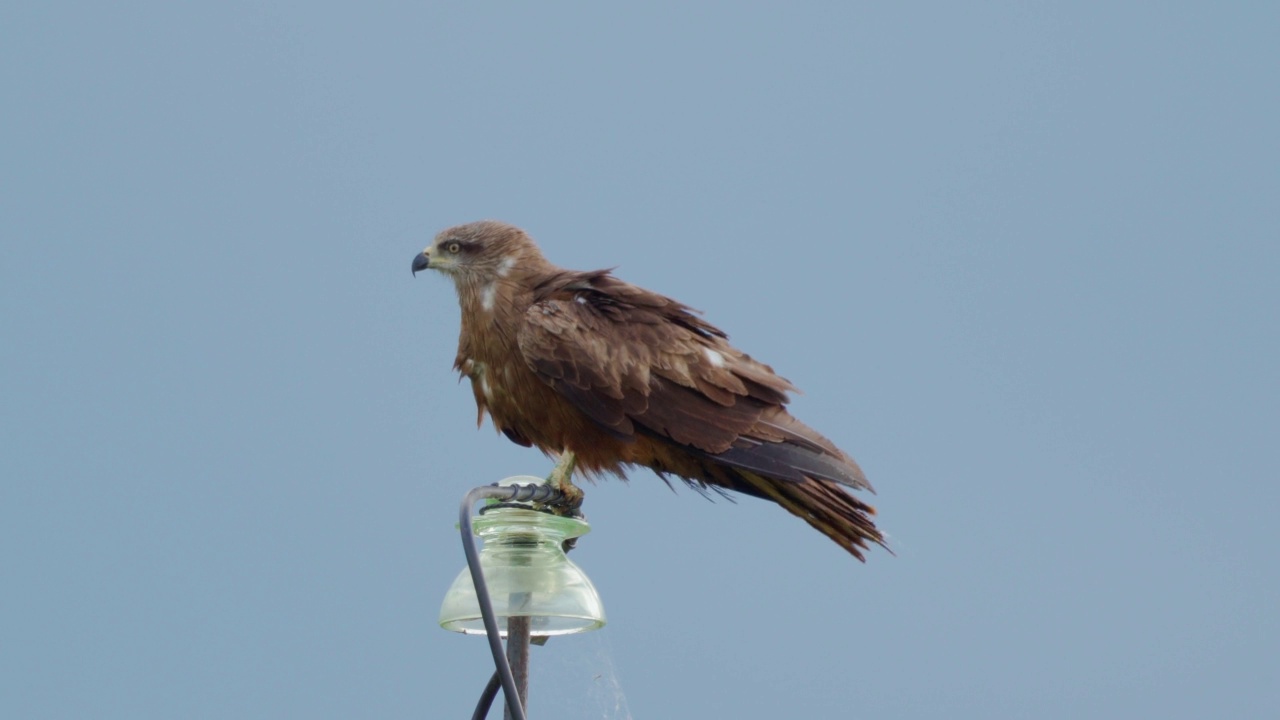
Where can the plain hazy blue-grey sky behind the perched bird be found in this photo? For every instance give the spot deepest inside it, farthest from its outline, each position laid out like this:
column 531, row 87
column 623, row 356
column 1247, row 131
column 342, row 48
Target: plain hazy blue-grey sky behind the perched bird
column 1023, row 259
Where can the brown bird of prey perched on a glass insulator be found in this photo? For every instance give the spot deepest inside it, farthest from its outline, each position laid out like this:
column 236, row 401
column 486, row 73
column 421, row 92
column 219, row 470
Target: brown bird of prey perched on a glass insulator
column 589, row 368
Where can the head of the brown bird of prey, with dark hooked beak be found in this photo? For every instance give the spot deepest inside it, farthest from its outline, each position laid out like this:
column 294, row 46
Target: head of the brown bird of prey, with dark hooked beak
column 479, row 253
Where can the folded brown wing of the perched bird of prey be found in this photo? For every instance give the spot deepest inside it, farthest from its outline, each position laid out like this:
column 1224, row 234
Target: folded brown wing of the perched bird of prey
column 637, row 362
